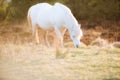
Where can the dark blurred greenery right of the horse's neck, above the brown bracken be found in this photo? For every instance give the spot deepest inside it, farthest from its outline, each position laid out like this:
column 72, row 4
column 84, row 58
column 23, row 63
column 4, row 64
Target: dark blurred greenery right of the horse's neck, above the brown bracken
column 92, row 9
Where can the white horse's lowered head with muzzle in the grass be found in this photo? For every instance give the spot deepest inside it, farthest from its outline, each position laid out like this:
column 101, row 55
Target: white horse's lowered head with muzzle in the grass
column 76, row 34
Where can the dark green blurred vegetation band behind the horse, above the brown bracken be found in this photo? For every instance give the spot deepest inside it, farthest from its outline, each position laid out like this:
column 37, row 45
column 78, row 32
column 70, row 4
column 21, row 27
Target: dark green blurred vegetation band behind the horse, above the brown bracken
column 91, row 10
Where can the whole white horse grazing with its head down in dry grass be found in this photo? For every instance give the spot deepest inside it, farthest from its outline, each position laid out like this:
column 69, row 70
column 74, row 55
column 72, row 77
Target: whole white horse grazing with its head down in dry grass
column 54, row 17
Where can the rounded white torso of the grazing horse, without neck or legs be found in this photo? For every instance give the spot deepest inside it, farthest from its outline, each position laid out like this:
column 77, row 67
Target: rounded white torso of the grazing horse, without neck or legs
column 46, row 15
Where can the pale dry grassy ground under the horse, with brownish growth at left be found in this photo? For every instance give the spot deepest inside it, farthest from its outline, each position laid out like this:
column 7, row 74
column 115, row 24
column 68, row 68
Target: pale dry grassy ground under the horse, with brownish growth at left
column 22, row 59
